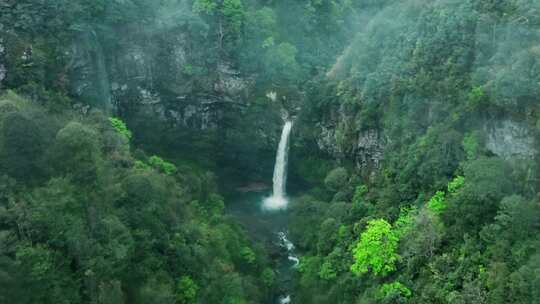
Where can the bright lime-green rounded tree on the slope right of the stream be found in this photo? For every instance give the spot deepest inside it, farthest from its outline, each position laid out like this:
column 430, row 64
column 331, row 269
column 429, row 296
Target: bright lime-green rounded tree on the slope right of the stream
column 376, row 250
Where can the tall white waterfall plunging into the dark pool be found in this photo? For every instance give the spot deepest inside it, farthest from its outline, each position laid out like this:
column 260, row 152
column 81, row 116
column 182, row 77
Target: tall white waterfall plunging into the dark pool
column 278, row 200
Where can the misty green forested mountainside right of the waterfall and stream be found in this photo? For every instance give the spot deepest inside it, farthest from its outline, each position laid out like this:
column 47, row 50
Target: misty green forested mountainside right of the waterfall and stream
column 431, row 78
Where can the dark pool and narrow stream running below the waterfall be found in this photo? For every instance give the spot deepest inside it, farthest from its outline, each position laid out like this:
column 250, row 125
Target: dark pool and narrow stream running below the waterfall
column 270, row 229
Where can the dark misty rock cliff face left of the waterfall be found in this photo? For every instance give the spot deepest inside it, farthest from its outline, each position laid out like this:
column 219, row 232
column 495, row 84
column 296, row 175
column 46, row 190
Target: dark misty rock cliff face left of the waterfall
column 164, row 78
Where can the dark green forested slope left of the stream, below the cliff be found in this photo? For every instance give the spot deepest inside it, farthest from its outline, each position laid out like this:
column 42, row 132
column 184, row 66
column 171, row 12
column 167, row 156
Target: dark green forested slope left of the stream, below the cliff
column 97, row 231
